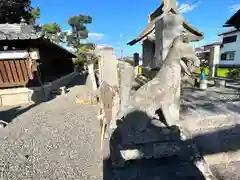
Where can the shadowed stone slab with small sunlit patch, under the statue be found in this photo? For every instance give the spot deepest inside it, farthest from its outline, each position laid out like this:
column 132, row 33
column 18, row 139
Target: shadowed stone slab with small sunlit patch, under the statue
column 124, row 154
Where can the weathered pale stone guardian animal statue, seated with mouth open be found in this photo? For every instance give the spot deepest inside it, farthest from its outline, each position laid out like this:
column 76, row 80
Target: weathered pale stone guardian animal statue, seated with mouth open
column 162, row 93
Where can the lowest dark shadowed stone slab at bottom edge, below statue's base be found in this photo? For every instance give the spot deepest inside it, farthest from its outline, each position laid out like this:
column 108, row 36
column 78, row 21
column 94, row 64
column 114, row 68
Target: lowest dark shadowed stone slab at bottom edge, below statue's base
column 163, row 169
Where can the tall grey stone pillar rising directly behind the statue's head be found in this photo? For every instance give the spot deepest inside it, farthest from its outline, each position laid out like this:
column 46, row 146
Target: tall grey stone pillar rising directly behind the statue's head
column 166, row 30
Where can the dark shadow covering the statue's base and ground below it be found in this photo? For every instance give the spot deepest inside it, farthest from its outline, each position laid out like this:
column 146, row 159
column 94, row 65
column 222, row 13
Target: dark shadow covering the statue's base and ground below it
column 168, row 165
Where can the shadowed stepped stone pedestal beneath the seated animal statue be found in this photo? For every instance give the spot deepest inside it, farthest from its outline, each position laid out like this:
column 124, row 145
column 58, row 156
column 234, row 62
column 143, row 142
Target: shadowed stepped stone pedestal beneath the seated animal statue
column 152, row 142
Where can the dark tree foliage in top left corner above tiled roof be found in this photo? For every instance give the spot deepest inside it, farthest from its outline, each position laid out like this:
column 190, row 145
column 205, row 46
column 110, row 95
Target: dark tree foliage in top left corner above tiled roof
column 12, row 11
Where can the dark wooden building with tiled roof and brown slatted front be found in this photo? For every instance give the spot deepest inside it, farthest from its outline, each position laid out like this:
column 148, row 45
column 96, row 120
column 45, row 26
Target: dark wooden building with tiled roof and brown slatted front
column 27, row 58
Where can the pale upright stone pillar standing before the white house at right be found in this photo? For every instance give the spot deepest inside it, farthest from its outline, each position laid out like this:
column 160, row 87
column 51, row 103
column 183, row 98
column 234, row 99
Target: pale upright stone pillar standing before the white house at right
column 214, row 60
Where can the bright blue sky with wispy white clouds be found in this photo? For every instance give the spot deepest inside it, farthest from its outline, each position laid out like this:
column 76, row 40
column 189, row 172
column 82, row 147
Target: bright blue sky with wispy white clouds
column 128, row 17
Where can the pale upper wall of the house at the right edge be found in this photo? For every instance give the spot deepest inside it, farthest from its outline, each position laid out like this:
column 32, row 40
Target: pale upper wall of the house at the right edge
column 235, row 46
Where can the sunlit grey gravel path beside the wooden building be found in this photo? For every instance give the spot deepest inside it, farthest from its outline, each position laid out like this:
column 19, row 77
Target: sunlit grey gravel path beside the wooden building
column 54, row 140
